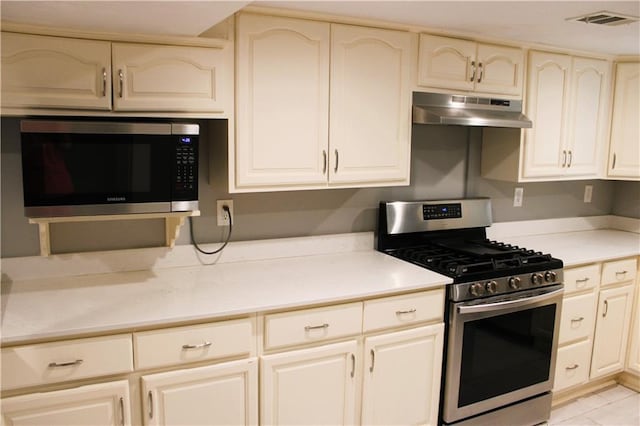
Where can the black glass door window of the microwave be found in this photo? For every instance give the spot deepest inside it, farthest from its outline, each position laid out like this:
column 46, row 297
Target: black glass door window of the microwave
column 67, row 169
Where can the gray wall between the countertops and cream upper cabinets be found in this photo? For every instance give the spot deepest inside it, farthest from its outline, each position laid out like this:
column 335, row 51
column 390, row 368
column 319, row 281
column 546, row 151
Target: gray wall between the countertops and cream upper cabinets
column 445, row 164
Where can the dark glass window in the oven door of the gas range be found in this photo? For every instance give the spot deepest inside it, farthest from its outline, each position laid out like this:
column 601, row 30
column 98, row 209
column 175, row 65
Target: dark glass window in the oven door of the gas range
column 505, row 353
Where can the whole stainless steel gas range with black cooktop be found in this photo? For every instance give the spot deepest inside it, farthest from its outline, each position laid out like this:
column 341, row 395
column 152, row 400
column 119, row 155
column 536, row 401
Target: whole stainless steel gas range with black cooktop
column 502, row 311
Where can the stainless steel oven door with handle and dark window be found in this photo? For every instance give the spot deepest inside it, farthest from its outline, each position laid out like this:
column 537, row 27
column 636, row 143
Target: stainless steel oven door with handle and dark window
column 500, row 350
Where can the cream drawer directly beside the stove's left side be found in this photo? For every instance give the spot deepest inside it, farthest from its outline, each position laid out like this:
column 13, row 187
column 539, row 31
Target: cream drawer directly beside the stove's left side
column 403, row 310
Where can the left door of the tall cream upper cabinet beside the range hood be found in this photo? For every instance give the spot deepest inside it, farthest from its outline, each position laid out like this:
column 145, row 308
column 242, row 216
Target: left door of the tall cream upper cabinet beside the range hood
column 282, row 129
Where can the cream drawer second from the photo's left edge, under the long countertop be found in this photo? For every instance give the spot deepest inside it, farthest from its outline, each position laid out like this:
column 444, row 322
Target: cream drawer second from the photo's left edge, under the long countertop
column 194, row 343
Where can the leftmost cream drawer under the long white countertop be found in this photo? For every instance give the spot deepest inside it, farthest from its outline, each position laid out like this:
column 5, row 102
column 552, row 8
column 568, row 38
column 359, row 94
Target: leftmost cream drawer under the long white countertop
column 67, row 360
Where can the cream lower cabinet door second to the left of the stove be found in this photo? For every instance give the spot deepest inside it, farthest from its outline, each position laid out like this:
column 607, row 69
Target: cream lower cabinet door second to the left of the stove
column 309, row 386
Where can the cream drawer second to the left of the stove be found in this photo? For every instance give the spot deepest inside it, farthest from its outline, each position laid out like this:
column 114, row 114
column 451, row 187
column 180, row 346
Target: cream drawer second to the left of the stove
column 312, row 325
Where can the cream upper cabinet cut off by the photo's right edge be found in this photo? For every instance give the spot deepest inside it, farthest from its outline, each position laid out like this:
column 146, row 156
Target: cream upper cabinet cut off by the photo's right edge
column 624, row 148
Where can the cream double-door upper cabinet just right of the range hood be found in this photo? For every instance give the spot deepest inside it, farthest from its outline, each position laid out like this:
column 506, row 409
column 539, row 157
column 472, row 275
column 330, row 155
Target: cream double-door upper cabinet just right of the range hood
column 568, row 102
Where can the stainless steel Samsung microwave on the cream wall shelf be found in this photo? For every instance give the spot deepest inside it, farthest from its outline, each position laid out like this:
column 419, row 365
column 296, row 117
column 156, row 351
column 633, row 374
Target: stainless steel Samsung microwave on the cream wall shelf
column 77, row 168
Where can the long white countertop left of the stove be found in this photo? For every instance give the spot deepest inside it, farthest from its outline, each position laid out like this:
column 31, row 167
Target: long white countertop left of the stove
column 42, row 309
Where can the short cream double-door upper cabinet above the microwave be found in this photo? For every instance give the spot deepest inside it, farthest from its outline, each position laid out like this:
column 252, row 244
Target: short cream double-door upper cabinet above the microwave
column 46, row 72
